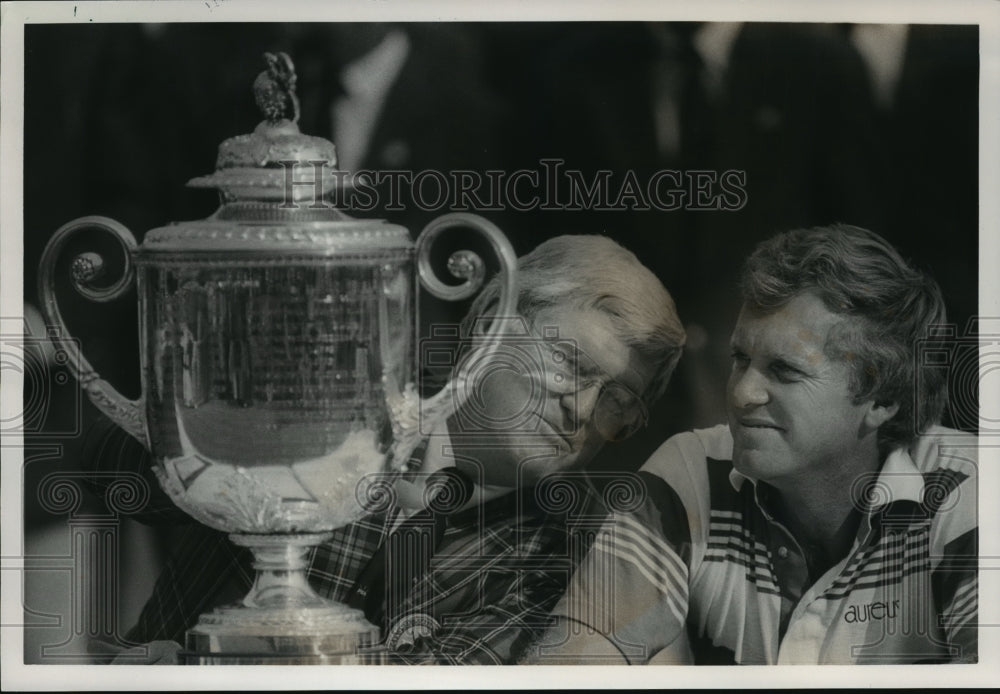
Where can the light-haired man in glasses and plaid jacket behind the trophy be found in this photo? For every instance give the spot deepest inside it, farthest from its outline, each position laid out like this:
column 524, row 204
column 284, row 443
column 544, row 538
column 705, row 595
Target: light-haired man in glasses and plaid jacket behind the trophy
column 595, row 341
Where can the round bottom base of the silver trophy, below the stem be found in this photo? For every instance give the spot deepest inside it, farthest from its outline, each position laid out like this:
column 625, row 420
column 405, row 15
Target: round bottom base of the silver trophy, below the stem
column 333, row 635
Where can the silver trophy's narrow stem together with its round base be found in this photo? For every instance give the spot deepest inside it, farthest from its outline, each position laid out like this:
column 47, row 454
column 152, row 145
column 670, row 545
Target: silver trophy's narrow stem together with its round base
column 282, row 621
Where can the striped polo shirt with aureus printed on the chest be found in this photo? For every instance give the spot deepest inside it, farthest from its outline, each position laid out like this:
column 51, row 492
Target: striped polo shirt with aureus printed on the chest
column 703, row 561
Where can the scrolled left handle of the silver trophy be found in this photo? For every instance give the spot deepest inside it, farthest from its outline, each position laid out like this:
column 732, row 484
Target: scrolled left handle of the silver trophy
column 128, row 414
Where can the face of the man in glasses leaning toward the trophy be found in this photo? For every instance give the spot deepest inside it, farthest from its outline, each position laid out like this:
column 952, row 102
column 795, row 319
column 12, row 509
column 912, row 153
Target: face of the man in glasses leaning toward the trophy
column 537, row 400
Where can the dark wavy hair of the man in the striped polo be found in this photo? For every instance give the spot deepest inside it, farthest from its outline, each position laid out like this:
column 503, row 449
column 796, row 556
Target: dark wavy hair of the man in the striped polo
column 859, row 274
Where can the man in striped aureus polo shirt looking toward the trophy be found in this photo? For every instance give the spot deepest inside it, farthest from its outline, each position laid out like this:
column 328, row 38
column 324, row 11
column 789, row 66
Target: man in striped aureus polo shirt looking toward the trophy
column 831, row 521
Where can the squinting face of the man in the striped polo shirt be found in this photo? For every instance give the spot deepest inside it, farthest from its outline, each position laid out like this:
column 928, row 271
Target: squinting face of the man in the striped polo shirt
column 792, row 415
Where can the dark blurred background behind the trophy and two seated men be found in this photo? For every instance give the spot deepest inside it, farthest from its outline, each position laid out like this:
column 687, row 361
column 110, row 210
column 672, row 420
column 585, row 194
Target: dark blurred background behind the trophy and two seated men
column 868, row 125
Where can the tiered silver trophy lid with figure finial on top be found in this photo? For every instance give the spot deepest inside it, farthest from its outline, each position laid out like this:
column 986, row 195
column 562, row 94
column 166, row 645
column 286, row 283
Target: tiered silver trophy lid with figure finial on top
column 274, row 184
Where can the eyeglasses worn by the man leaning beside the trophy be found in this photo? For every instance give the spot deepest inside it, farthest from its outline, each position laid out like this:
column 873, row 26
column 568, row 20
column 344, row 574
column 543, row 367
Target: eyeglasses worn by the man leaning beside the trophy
column 618, row 412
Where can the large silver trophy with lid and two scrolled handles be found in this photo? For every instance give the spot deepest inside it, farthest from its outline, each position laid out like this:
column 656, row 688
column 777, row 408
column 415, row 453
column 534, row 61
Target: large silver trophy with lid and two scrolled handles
column 277, row 349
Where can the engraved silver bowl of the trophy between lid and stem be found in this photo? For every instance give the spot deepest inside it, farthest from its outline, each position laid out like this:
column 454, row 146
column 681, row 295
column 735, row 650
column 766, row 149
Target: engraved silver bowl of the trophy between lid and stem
column 279, row 369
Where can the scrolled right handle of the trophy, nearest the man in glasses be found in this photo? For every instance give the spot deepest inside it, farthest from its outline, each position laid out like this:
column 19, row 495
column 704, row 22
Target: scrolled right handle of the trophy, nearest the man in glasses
column 468, row 266
